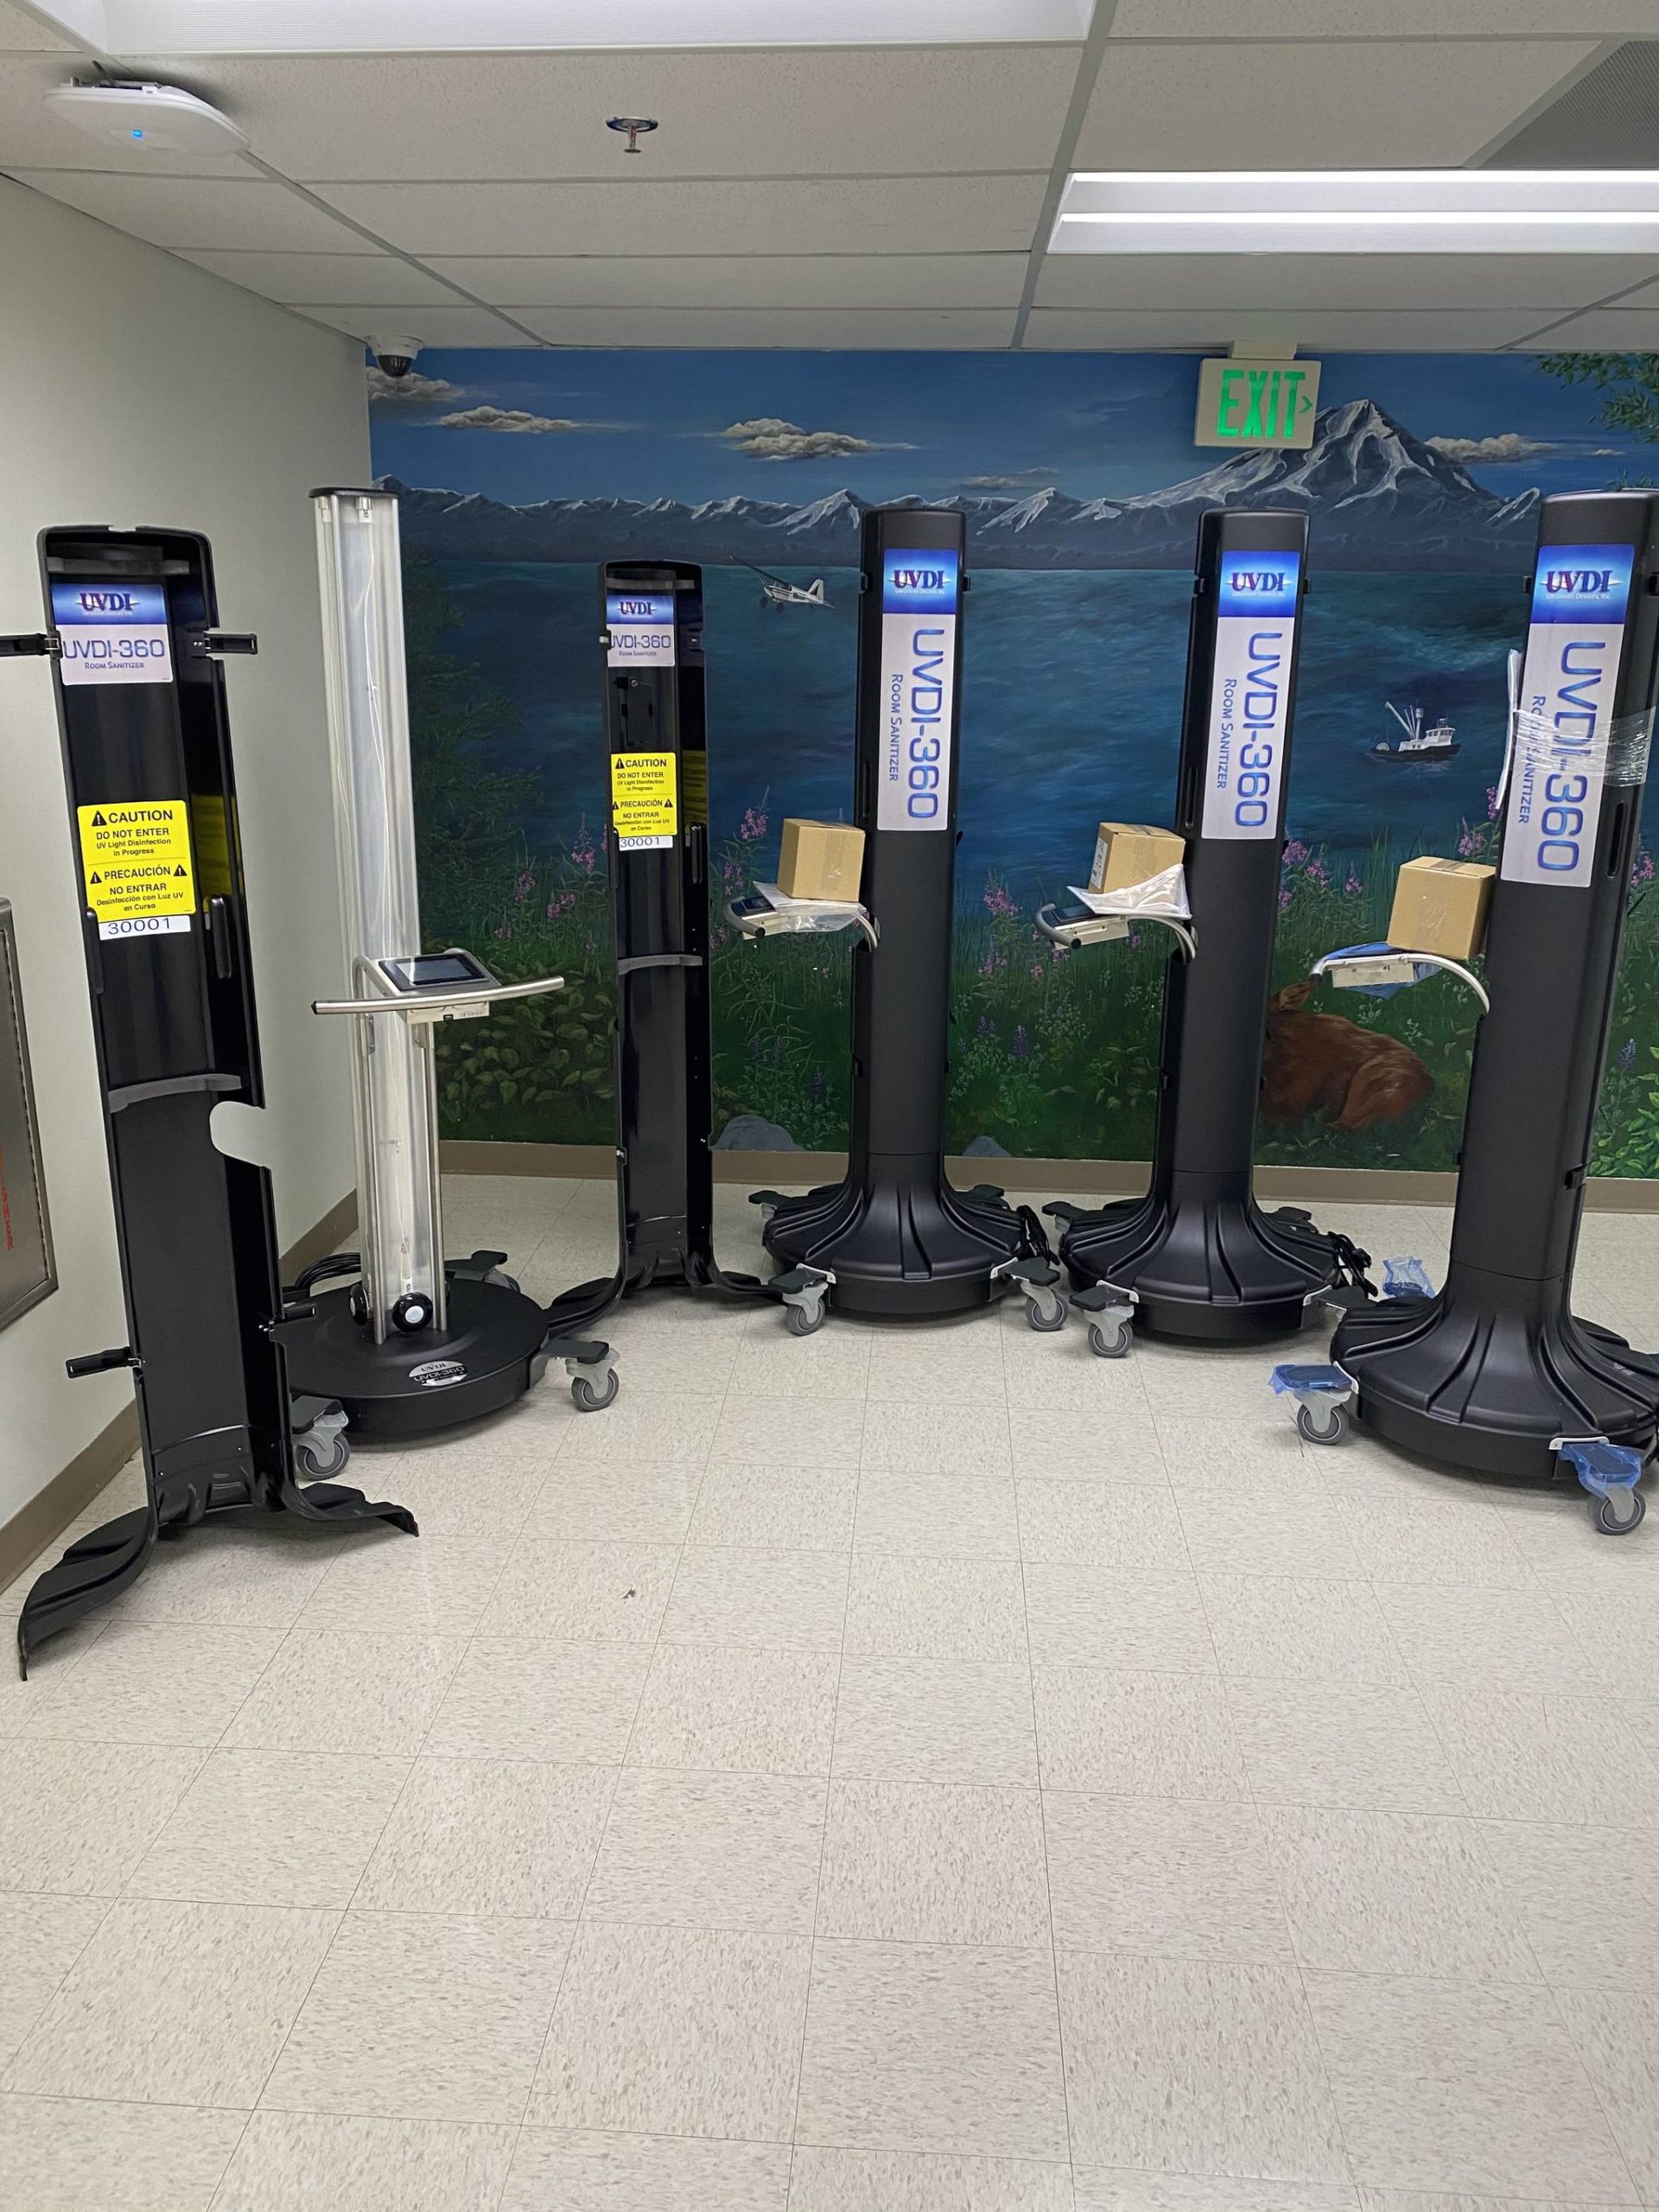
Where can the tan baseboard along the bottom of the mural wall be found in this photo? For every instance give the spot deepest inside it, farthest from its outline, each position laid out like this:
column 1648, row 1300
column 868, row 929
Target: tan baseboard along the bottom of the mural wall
column 1116, row 1178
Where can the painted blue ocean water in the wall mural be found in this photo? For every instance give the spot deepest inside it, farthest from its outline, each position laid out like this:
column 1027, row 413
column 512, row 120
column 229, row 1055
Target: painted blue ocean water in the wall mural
column 1072, row 702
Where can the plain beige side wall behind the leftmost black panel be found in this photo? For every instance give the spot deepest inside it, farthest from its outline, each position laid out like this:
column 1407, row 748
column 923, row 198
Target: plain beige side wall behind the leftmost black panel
column 140, row 390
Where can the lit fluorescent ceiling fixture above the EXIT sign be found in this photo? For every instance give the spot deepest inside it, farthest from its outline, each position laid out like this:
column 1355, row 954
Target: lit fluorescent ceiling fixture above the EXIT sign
column 1392, row 211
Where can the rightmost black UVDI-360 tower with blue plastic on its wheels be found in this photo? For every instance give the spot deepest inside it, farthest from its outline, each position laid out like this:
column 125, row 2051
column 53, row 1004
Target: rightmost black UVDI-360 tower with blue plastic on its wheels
column 1496, row 1370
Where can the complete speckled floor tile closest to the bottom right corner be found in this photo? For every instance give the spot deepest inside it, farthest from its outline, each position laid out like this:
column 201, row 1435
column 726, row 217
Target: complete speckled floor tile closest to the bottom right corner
column 1443, row 2087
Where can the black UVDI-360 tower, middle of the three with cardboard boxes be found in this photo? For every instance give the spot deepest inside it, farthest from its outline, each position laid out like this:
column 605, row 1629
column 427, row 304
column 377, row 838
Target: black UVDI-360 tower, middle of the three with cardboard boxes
column 1198, row 1253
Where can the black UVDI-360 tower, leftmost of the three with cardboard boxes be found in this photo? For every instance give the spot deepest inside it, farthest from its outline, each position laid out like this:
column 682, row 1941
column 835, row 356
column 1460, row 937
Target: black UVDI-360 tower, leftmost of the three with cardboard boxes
column 895, row 1235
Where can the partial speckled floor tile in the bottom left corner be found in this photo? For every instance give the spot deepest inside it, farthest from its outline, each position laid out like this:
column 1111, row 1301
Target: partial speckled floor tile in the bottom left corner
column 76, row 2156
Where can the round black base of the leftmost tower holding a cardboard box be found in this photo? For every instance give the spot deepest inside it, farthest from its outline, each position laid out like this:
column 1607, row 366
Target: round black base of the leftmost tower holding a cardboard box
column 901, row 1249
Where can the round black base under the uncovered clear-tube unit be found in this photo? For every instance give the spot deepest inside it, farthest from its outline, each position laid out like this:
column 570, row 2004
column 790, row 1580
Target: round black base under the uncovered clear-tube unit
column 410, row 1386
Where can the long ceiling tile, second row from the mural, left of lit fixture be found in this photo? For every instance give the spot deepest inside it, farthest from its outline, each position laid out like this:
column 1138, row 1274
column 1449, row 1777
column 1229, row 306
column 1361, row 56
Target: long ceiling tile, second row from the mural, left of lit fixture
column 744, row 280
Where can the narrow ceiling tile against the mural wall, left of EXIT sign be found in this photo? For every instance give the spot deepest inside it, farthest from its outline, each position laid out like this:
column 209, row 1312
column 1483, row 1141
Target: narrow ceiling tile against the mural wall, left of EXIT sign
column 773, row 326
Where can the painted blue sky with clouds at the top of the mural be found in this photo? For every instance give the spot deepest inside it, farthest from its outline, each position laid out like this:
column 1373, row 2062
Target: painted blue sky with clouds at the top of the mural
column 660, row 424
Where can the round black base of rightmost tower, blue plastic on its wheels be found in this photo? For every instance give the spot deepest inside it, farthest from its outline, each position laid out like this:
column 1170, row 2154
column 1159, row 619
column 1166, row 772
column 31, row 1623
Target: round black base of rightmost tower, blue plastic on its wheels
column 1492, row 1373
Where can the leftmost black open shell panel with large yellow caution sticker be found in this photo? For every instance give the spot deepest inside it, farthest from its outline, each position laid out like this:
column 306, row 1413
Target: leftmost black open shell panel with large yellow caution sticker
column 154, row 806
